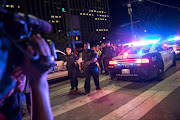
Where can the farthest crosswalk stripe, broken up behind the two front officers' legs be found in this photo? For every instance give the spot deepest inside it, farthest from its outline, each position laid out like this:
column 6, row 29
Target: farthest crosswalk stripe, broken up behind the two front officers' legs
column 65, row 89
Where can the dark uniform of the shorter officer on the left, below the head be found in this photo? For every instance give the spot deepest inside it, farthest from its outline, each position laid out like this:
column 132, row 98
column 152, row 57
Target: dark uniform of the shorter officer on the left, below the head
column 72, row 69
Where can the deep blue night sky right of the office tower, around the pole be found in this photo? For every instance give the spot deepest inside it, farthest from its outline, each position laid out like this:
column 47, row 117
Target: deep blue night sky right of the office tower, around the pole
column 156, row 19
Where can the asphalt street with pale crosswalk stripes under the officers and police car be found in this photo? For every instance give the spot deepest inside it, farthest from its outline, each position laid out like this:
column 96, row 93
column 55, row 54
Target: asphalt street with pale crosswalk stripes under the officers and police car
column 119, row 99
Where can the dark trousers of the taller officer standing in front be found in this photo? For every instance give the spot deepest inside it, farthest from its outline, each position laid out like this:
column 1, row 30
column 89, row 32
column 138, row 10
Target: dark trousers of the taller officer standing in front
column 94, row 72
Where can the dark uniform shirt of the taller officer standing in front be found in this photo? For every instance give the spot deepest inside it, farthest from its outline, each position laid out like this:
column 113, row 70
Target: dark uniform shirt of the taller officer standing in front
column 89, row 55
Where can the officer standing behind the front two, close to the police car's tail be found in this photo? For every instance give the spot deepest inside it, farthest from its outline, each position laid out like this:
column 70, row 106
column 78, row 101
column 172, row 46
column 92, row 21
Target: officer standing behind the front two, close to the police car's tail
column 108, row 53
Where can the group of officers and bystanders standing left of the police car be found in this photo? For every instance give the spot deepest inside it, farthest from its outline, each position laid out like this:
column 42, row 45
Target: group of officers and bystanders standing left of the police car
column 94, row 59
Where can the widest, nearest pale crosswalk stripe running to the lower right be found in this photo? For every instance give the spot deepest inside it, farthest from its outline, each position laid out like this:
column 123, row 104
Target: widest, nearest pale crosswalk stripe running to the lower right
column 143, row 103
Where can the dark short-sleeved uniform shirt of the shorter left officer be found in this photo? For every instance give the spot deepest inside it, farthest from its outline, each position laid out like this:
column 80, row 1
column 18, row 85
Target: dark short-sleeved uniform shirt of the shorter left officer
column 71, row 59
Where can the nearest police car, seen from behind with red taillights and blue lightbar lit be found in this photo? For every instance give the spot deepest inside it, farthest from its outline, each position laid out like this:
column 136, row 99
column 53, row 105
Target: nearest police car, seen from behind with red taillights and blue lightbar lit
column 142, row 62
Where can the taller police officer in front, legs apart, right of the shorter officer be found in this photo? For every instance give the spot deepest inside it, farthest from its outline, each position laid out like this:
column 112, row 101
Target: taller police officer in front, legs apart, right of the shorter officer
column 89, row 59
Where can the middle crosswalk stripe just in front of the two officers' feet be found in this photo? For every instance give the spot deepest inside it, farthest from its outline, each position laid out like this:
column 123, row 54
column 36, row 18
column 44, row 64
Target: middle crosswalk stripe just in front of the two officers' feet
column 72, row 104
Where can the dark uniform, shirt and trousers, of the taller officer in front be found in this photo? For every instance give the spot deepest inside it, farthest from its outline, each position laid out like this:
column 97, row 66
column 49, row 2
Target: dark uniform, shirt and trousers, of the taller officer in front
column 92, row 69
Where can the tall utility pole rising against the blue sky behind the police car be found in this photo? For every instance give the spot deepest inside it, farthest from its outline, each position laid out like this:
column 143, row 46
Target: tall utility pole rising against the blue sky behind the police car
column 131, row 18
